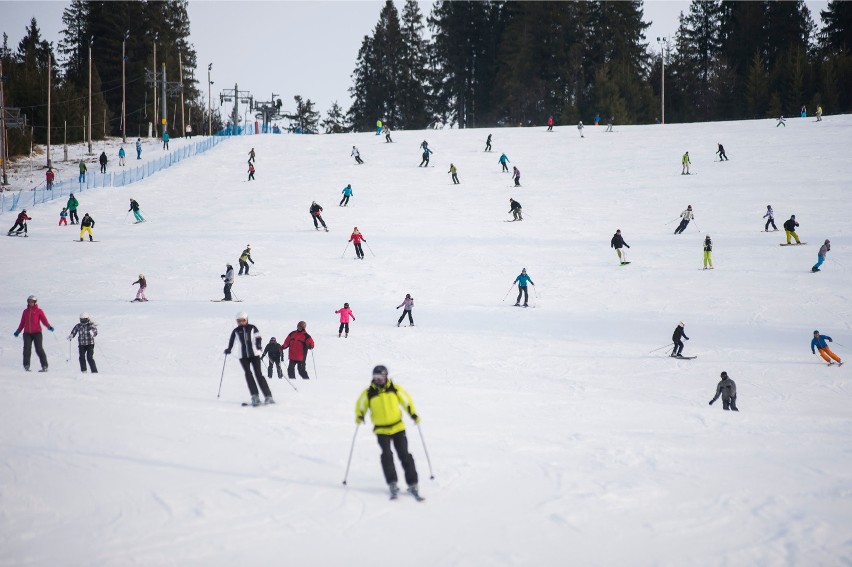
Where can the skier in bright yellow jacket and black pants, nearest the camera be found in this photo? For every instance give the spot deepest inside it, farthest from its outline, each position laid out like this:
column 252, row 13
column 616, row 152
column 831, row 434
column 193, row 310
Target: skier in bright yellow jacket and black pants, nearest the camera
column 383, row 400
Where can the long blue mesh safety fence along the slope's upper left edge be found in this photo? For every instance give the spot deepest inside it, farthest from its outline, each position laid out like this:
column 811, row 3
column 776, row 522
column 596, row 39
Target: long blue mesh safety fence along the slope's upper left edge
column 14, row 200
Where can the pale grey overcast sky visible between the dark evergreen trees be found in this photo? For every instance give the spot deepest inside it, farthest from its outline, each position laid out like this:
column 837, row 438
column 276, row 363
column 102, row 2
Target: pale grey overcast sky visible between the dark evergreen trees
column 289, row 48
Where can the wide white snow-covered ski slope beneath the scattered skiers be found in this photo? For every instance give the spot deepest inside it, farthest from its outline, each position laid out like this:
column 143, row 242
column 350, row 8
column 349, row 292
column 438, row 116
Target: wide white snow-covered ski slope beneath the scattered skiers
column 555, row 437
